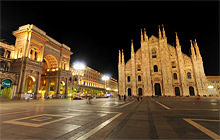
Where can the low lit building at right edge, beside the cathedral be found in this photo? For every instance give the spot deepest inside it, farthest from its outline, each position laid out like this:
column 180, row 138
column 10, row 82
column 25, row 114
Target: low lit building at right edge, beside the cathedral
column 213, row 85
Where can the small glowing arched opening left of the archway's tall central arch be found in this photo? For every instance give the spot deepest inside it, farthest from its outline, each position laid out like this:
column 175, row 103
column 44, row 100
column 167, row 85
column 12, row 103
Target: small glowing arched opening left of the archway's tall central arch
column 29, row 88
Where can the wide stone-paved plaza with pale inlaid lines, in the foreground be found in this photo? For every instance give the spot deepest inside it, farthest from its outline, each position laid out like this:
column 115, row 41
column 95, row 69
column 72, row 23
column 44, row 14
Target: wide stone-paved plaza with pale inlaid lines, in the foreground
column 151, row 118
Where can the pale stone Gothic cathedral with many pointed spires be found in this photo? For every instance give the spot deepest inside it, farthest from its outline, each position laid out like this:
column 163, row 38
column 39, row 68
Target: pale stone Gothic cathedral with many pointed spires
column 160, row 69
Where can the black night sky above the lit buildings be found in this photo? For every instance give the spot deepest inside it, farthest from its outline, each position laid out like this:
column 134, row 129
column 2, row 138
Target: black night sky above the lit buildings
column 95, row 31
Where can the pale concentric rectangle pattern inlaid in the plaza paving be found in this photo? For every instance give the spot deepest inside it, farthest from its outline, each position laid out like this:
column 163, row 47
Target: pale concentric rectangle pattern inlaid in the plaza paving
column 38, row 120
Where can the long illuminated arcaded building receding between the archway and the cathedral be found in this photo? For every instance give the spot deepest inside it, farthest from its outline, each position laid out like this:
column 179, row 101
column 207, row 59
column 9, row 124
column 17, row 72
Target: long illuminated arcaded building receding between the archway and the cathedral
column 90, row 81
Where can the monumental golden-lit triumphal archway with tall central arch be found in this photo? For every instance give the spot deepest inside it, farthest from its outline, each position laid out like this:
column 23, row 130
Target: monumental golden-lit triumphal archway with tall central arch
column 42, row 63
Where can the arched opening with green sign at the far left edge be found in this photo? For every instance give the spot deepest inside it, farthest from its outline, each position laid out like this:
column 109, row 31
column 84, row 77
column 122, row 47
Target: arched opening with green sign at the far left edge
column 6, row 89
